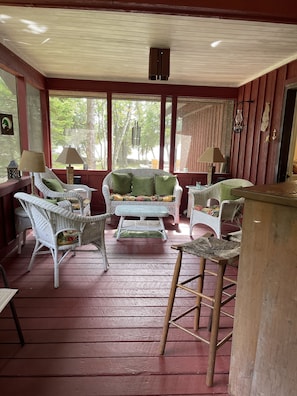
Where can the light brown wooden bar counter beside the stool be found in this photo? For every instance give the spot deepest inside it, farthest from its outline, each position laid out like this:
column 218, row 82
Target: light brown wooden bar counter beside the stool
column 264, row 346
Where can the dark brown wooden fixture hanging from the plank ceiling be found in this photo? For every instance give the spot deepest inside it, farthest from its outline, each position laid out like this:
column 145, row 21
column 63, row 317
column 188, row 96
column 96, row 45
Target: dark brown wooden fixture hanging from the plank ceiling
column 159, row 63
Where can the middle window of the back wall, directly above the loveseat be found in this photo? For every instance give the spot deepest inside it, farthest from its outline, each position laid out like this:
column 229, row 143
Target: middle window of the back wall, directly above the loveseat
column 135, row 132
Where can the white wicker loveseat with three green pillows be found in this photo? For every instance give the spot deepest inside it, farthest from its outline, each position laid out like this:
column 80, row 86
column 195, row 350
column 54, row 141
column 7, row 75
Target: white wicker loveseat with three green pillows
column 117, row 190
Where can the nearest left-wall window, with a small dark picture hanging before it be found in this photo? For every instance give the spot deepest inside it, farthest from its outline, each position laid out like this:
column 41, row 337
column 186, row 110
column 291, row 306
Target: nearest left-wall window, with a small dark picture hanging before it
column 10, row 144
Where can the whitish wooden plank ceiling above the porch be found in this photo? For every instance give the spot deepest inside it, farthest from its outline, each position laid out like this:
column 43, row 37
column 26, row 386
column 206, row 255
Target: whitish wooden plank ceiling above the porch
column 114, row 45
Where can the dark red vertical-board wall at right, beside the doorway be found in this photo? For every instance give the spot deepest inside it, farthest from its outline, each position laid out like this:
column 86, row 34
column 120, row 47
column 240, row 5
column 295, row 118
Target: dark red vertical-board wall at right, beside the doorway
column 254, row 155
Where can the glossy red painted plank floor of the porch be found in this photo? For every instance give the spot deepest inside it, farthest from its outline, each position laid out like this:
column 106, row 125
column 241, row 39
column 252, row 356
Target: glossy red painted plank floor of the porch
column 99, row 333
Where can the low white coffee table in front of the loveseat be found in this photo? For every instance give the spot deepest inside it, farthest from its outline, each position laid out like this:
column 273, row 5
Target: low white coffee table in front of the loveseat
column 144, row 213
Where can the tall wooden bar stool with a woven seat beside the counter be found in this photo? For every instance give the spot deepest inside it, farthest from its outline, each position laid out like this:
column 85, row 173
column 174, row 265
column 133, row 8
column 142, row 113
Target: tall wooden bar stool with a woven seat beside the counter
column 222, row 253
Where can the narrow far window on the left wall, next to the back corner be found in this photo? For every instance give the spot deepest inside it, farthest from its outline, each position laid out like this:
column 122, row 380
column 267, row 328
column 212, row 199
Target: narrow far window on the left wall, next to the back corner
column 34, row 119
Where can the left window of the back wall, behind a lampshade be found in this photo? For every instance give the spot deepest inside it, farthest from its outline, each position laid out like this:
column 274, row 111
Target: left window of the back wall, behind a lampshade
column 80, row 122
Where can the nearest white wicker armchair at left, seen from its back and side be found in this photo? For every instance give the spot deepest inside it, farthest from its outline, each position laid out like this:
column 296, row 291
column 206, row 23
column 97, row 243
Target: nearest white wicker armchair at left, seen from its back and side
column 60, row 230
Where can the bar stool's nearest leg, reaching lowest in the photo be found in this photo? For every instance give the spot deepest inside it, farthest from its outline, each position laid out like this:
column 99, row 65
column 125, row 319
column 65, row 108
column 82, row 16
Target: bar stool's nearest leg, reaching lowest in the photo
column 215, row 323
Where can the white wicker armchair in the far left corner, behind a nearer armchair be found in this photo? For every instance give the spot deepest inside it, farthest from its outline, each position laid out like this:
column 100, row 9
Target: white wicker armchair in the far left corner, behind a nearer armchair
column 79, row 194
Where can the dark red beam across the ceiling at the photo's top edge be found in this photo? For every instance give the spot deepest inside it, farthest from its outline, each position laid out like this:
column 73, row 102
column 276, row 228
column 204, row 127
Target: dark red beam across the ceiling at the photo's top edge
column 284, row 11
